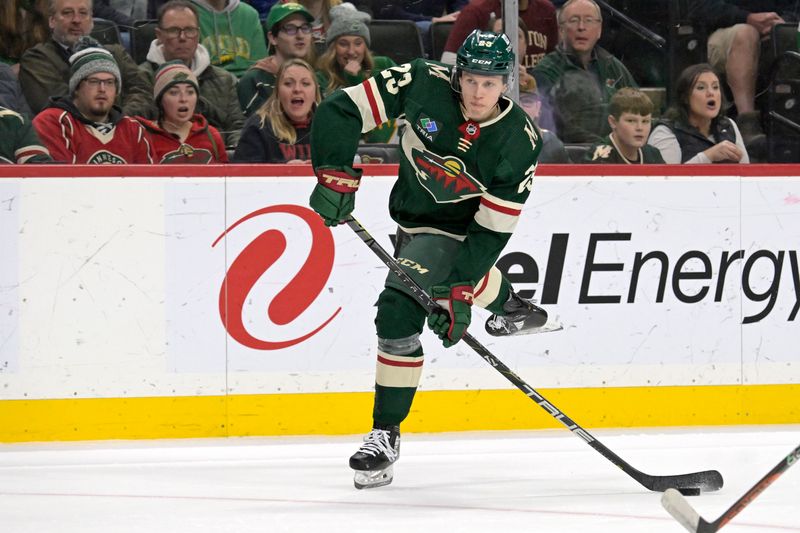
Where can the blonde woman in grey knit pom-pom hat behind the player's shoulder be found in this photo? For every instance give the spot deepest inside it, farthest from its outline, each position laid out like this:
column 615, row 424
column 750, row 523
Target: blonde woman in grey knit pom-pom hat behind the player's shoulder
column 348, row 60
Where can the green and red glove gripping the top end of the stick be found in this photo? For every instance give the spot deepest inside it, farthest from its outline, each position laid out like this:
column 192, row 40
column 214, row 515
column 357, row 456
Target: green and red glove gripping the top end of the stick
column 334, row 196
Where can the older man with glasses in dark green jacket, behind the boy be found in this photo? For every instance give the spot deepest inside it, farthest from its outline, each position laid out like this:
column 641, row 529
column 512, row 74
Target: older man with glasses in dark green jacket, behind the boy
column 577, row 80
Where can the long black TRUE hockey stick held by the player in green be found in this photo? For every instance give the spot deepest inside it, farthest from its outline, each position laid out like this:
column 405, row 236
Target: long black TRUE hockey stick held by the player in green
column 708, row 480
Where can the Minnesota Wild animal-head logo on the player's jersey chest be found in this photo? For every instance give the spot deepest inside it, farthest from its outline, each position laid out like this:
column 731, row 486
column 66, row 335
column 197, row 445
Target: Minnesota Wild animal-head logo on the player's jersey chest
column 446, row 178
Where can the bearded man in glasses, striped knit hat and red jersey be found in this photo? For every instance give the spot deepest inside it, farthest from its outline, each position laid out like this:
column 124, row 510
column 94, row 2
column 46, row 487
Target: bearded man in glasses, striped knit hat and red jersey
column 86, row 127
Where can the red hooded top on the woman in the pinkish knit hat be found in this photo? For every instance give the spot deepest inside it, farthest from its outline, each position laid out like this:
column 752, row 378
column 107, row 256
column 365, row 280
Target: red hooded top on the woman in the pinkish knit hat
column 203, row 145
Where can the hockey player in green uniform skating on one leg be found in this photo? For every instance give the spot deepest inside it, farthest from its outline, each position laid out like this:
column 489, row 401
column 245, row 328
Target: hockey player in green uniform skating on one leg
column 468, row 157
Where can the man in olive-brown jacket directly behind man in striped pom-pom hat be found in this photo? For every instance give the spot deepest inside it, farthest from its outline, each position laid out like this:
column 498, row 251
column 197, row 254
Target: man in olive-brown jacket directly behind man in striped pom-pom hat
column 44, row 69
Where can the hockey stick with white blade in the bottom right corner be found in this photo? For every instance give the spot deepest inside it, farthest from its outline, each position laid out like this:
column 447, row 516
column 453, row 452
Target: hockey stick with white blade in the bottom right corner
column 684, row 513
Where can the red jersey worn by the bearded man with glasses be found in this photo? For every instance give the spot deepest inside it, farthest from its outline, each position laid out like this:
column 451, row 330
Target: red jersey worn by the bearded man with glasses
column 72, row 138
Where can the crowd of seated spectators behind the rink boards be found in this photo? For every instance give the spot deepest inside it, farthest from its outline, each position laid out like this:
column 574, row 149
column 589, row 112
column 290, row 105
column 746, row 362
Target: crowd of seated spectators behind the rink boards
column 240, row 80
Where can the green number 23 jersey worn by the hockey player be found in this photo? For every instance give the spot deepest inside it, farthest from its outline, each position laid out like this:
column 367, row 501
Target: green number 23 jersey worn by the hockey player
column 457, row 177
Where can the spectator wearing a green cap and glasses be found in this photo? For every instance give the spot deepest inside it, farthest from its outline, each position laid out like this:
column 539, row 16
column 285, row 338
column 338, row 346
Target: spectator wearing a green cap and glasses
column 289, row 35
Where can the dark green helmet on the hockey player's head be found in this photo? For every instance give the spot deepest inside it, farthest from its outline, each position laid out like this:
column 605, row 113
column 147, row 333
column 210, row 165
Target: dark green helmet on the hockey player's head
column 484, row 53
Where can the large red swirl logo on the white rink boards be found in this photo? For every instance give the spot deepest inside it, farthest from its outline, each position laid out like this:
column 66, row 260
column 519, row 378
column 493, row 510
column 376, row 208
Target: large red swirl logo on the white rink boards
column 254, row 261
